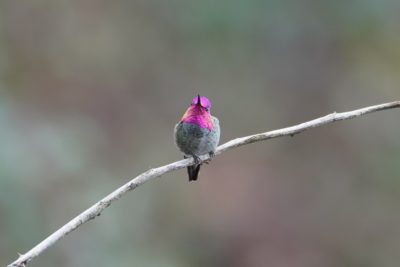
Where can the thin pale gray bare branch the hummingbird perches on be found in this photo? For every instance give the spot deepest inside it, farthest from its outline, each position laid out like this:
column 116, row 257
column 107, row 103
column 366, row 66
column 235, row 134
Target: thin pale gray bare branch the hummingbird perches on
column 97, row 208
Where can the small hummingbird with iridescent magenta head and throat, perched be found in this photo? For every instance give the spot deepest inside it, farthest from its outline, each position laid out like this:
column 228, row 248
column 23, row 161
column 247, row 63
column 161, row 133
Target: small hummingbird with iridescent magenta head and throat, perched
column 197, row 133
